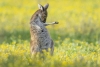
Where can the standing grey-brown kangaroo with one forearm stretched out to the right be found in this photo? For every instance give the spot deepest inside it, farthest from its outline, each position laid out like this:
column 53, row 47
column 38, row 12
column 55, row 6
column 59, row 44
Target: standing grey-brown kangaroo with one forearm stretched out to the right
column 40, row 38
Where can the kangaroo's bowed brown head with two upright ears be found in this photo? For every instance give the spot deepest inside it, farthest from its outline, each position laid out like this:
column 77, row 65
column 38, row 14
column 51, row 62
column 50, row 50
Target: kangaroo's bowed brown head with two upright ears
column 43, row 12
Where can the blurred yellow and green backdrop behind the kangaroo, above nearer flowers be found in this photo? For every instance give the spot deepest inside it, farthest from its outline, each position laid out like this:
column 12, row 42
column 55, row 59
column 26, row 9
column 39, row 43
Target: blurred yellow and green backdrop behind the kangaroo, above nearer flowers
column 78, row 19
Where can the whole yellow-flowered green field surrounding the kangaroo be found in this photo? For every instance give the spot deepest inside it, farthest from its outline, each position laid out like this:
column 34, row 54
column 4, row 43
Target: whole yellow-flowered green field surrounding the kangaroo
column 76, row 37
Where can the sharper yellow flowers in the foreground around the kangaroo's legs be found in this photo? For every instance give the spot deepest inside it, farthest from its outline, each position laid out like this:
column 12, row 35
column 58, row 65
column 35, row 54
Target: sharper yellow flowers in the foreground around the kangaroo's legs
column 77, row 53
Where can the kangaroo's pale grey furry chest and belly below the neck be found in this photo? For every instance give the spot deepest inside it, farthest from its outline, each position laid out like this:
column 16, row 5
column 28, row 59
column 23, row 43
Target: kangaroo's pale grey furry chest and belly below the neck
column 43, row 38
